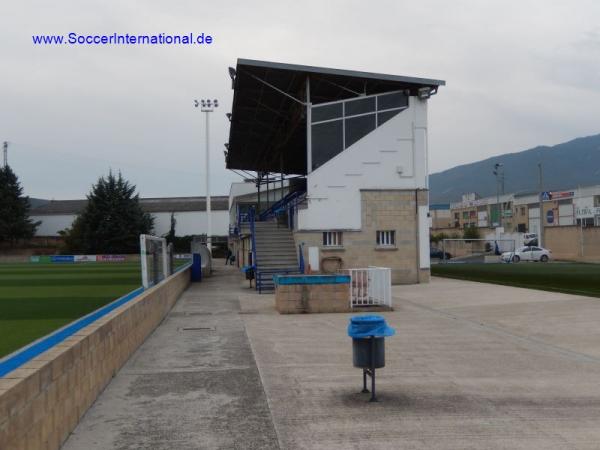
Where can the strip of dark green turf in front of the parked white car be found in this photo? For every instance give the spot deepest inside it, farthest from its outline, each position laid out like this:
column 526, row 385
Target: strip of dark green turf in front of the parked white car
column 571, row 278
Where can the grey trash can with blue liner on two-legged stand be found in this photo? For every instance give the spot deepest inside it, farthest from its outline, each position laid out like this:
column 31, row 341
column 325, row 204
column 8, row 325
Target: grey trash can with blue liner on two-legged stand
column 368, row 335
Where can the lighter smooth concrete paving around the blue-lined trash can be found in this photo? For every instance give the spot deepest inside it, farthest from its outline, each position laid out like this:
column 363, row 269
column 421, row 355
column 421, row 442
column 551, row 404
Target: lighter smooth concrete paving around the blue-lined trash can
column 462, row 372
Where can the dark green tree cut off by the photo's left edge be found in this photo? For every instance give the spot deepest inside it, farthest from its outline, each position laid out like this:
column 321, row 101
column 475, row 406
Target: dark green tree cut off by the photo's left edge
column 15, row 223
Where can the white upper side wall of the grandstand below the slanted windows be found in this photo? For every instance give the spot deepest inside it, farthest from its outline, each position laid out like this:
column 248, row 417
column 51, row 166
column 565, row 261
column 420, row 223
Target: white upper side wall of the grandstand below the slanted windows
column 333, row 190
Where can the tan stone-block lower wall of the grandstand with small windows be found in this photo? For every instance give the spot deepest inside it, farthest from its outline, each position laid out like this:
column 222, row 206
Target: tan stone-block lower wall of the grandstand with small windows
column 381, row 210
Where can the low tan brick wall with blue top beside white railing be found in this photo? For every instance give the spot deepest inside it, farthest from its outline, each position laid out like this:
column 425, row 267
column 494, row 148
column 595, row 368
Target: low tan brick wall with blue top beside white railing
column 312, row 298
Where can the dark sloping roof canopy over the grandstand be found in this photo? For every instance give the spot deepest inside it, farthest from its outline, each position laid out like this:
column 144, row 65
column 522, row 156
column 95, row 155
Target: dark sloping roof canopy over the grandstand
column 268, row 118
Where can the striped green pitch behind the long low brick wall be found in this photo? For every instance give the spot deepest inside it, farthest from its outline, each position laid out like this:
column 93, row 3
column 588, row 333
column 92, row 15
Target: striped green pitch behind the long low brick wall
column 36, row 299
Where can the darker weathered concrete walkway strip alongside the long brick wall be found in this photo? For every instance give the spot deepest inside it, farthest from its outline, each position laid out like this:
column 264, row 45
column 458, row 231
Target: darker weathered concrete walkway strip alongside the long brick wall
column 193, row 384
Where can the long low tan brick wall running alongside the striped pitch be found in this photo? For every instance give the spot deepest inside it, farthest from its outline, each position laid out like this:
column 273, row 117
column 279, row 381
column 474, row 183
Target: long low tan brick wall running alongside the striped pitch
column 42, row 401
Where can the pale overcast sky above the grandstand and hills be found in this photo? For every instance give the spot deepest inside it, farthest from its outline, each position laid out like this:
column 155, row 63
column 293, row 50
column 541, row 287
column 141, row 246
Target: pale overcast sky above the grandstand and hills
column 518, row 73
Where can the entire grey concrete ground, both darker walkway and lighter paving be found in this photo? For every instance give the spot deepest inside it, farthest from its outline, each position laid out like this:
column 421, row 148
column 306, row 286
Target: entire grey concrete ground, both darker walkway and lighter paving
column 472, row 366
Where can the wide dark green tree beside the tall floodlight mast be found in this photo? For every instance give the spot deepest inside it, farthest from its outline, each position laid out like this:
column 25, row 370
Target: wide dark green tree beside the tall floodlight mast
column 111, row 222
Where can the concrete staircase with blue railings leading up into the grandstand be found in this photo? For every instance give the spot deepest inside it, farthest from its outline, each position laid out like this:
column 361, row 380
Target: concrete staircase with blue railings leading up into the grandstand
column 275, row 253
